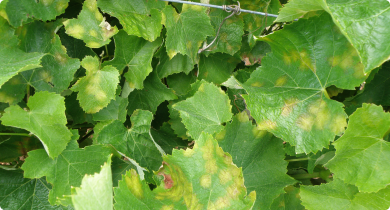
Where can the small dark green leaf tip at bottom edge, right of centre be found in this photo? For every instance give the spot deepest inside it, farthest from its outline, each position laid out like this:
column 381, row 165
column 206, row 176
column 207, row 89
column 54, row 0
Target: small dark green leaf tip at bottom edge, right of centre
column 289, row 200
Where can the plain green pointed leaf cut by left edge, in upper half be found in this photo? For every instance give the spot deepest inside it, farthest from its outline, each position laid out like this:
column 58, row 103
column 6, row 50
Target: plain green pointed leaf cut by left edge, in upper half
column 12, row 59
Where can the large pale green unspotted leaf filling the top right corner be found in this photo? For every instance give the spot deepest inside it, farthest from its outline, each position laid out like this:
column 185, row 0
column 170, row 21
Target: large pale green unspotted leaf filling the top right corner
column 363, row 22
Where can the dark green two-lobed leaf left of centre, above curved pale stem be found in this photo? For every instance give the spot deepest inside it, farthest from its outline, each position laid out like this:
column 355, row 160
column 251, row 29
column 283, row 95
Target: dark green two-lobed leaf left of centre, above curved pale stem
column 135, row 143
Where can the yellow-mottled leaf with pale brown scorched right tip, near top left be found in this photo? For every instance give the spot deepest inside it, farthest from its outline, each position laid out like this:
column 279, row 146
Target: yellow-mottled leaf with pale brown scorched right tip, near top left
column 90, row 26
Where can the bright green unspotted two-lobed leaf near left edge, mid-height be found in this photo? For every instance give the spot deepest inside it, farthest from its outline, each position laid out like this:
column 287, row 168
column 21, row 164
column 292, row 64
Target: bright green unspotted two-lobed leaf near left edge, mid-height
column 45, row 119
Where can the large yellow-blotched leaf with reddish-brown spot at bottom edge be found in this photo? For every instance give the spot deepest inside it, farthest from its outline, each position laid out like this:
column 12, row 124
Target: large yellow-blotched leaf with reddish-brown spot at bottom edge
column 199, row 178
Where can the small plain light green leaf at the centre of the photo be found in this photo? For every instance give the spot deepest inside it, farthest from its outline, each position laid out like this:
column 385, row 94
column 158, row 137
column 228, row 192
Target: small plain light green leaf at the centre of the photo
column 205, row 111
